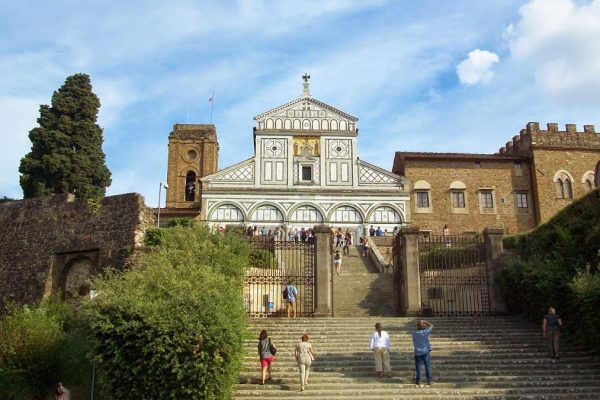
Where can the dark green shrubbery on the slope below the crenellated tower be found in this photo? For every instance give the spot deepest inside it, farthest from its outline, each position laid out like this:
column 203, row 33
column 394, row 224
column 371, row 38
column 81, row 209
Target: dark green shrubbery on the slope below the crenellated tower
column 557, row 264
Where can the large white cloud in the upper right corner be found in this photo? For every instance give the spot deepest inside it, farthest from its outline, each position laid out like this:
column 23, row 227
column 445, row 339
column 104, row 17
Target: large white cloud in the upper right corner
column 558, row 41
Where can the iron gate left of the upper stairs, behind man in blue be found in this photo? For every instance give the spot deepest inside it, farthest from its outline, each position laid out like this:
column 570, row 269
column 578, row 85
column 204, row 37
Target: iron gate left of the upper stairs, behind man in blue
column 274, row 263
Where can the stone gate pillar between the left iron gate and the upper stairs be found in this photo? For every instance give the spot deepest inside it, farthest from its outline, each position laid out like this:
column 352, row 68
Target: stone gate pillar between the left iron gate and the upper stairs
column 323, row 277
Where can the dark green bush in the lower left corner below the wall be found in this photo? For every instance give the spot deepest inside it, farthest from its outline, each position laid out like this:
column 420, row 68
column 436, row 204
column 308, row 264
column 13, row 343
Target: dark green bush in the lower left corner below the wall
column 40, row 346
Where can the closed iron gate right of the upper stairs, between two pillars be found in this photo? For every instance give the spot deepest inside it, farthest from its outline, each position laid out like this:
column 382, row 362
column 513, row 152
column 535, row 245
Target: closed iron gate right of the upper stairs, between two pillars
column 453, row 276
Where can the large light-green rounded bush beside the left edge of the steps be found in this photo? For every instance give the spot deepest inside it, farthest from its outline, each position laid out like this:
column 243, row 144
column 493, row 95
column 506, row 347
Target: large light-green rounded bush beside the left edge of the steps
column 173, row 329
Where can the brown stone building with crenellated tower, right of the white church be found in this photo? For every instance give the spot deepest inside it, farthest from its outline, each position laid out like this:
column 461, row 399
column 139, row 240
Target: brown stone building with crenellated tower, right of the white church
column 529, row 180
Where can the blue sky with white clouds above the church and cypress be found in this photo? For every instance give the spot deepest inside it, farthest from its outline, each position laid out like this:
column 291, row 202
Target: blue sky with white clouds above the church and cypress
column 441, row 76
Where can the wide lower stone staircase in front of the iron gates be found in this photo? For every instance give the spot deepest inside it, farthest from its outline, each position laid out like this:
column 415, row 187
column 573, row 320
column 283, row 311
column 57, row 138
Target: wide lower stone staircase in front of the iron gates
column 487, row 358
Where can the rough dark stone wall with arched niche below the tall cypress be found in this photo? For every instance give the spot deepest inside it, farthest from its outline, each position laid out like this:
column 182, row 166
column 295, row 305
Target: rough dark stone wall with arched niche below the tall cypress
column 55, row 243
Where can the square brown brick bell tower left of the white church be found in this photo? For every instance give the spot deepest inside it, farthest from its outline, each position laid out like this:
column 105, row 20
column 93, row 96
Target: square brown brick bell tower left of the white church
column 193, row 153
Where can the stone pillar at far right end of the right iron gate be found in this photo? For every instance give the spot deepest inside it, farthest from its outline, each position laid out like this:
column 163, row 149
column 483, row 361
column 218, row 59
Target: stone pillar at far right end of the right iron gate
column 493, row 248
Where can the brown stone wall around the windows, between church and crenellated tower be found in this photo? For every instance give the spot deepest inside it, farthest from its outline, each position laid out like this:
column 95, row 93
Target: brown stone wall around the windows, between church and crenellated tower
column 498, row 175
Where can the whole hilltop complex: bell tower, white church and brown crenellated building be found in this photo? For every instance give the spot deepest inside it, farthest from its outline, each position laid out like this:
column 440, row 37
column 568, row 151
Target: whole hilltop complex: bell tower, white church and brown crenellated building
column 306, row 171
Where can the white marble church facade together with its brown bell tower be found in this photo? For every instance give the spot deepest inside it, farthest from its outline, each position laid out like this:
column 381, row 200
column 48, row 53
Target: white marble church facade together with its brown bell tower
column 305, row 171
